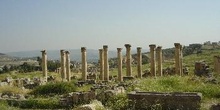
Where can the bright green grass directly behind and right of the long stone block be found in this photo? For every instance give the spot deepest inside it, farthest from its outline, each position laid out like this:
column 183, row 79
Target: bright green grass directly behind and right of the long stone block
column 179, row 84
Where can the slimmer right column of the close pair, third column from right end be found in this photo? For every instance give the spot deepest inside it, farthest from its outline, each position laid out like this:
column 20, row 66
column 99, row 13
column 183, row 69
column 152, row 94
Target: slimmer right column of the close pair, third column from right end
column 159, row 61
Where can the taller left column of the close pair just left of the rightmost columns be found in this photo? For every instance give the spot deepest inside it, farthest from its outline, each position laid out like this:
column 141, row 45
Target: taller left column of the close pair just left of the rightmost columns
column 152, row 60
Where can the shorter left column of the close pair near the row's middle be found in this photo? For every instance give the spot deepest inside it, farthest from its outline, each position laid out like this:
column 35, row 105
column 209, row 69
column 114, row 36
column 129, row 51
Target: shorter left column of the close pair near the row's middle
column 101, row 63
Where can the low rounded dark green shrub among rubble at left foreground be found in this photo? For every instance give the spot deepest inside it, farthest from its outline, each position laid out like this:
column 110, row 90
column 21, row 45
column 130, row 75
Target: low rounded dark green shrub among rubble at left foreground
column 54, row 88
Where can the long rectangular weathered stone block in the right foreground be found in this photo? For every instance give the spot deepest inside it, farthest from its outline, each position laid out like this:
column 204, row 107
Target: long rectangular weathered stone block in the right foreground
column 165, row 101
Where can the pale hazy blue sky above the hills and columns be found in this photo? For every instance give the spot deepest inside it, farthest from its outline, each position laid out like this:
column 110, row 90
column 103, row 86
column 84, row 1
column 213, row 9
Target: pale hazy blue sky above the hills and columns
column 72, row 24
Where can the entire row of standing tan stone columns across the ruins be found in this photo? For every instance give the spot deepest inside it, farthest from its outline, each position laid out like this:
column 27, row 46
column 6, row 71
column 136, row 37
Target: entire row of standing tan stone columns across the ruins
column 104, row 65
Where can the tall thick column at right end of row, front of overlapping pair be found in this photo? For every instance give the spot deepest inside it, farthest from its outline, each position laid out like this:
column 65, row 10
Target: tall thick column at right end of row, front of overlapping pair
column 177, row 58
